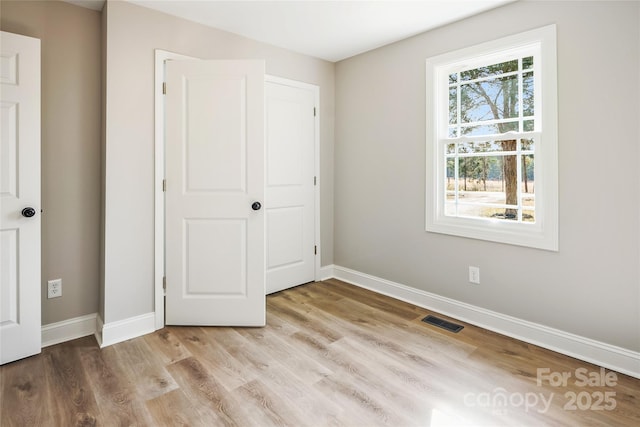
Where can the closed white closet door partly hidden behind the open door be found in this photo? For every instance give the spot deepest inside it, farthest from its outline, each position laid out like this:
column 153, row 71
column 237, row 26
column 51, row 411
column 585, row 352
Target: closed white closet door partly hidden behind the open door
column 290, row 191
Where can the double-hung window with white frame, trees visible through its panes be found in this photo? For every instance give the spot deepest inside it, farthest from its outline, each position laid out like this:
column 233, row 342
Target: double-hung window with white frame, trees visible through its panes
column 492, row 141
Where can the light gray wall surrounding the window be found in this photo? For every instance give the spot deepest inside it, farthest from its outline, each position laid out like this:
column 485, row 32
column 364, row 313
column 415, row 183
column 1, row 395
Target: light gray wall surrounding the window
column 591, row 286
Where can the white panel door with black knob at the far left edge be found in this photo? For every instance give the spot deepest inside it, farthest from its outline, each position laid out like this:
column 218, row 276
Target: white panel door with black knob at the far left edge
column 20, row 325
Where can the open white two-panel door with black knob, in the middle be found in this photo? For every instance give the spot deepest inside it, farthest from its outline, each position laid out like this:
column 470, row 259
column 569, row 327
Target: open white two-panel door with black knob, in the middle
column 215, row 266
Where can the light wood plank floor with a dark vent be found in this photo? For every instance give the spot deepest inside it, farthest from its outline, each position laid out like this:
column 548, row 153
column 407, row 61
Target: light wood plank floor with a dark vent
column 331, row 355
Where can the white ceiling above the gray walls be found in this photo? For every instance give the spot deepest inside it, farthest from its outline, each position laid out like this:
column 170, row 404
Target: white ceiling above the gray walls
column 331, row 30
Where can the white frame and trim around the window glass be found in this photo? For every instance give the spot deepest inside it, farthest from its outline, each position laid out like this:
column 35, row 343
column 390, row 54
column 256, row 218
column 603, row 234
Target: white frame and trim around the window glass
column 542, row 234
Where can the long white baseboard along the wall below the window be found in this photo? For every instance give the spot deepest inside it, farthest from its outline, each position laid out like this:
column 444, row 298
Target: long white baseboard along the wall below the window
column 602, row 354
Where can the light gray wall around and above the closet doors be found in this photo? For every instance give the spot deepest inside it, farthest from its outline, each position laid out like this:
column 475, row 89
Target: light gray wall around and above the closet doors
column 132, row 35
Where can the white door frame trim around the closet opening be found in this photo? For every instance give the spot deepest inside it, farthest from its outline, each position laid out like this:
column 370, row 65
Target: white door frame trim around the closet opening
column 159, row 175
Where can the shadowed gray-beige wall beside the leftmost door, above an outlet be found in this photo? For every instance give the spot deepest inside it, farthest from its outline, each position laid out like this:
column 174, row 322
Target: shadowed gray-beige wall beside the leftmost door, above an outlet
column 71, row 104
